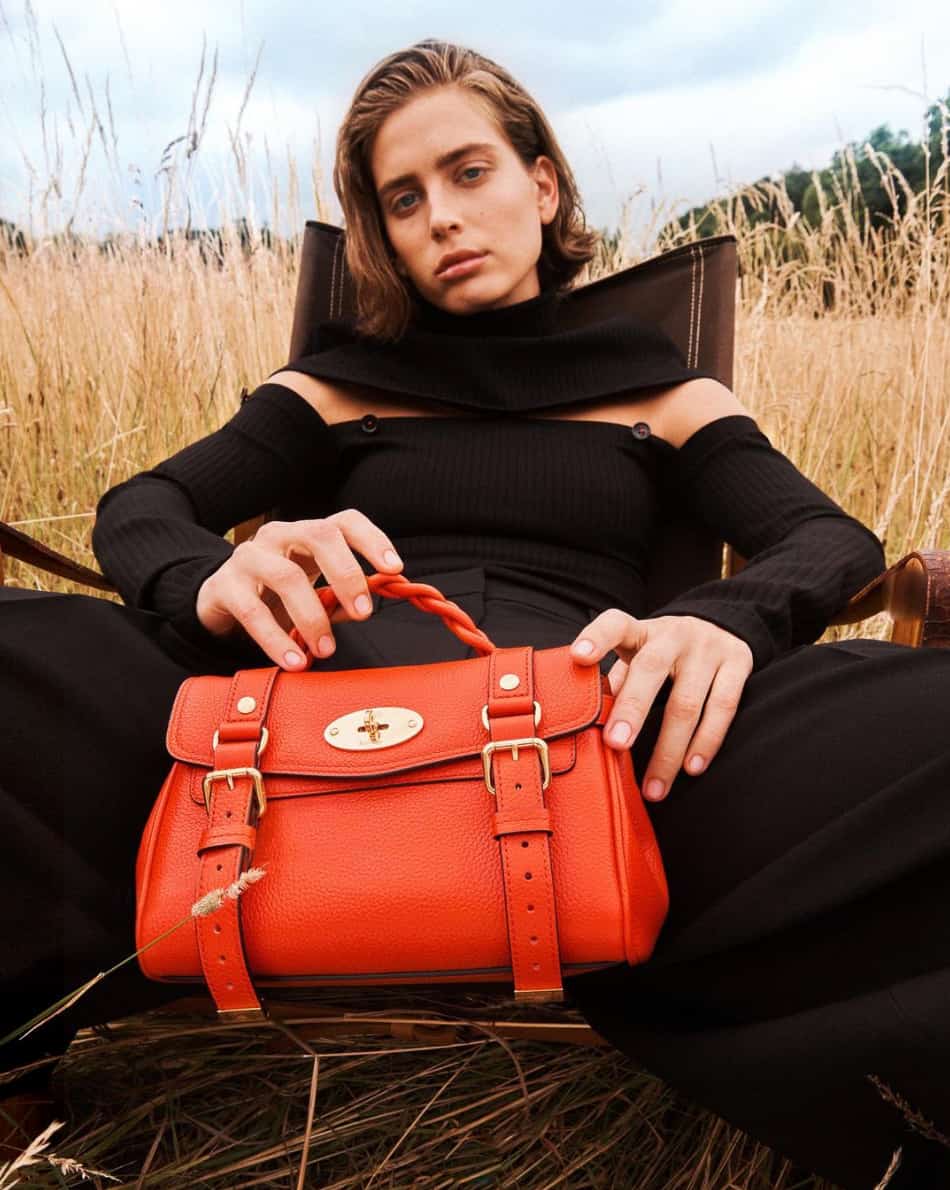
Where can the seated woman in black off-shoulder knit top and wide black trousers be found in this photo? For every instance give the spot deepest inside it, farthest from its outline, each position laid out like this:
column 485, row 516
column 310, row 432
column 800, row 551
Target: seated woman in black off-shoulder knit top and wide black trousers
column 807, row 862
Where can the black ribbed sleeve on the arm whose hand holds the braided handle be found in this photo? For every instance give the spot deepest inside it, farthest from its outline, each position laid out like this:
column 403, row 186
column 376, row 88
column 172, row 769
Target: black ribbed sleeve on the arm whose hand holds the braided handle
column 159, row 535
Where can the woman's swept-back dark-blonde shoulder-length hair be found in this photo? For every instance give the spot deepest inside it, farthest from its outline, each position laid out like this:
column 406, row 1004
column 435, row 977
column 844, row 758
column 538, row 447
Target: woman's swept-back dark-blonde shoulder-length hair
column 384, row 303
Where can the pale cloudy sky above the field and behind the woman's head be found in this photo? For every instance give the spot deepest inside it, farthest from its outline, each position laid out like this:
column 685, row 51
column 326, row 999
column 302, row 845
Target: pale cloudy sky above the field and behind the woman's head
column 655, row 103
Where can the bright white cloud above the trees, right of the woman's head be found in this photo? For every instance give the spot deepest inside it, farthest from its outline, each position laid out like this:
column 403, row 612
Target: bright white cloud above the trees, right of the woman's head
column 834, row 91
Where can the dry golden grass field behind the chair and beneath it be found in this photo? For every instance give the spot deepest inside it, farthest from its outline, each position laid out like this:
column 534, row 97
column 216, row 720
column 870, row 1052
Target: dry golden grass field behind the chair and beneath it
column 110, row 364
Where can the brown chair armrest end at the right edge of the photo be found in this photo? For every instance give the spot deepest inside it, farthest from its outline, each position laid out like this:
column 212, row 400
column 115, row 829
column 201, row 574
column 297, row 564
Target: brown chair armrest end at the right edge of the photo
column 916, row 593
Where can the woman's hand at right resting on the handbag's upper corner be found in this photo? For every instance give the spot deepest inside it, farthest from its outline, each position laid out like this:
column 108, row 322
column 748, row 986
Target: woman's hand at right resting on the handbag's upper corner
column 709, row 666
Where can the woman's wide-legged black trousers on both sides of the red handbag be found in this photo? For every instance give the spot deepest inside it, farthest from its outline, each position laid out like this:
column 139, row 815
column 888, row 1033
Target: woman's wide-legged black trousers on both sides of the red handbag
column 808, row 944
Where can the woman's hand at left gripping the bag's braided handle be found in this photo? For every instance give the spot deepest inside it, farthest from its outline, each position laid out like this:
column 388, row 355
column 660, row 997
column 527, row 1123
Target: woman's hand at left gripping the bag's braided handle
column 266, row 586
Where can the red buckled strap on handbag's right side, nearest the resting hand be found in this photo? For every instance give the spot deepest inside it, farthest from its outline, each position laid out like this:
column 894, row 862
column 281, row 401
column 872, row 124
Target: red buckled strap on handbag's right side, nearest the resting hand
column 523, row 828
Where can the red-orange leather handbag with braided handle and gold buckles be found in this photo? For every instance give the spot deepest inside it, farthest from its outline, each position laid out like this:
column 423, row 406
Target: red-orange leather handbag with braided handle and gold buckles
column 460, row 821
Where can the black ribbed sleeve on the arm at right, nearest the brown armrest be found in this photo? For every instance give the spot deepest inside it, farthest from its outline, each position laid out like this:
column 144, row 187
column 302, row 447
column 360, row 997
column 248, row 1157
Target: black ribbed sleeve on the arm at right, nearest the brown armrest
column 805, row 556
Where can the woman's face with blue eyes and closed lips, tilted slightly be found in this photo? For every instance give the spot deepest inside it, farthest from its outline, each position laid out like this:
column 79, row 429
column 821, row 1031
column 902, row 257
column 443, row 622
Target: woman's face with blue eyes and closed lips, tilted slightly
column 483, row 201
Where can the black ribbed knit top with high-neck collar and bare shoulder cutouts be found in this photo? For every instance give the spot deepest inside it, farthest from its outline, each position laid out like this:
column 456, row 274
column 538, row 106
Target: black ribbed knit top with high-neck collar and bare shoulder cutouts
column 565, row 506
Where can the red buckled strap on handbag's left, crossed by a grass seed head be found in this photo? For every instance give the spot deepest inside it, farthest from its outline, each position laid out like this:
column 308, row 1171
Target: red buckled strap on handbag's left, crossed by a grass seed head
column 227, row 845
